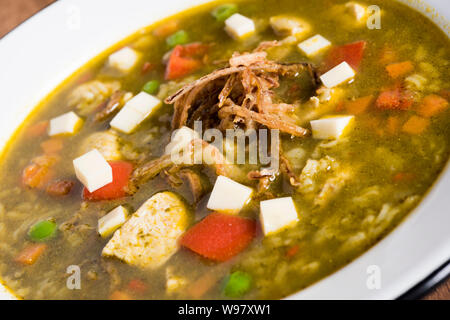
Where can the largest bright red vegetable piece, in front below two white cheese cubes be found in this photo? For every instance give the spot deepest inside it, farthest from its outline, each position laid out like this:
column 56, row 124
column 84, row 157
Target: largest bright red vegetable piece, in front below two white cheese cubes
column 220, row 237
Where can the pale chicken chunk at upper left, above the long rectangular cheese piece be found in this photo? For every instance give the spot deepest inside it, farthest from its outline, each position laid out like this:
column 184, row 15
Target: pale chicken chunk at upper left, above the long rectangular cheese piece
column 88, row 96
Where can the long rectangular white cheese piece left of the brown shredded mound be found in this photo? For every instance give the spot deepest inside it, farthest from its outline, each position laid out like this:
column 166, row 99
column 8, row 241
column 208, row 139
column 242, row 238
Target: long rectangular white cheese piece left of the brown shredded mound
column 135, row 111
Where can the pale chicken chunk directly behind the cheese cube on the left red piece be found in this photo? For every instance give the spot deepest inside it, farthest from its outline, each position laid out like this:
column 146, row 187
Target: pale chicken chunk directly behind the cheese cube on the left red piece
column 106, row 142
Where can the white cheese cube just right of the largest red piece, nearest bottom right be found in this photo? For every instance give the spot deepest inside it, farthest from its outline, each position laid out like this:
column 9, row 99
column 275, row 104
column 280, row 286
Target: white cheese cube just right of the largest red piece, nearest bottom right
column 277, row 214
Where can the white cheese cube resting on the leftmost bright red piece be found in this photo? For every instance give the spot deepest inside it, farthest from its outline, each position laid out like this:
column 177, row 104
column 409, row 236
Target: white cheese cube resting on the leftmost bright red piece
column 92, row 170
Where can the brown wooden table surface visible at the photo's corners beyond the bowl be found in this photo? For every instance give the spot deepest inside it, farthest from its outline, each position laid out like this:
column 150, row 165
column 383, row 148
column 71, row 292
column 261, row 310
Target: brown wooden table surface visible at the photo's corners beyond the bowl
column 13, row 12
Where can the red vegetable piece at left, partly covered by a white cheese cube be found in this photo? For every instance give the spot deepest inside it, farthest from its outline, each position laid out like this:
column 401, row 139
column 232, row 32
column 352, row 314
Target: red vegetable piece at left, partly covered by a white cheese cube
column 116, row 189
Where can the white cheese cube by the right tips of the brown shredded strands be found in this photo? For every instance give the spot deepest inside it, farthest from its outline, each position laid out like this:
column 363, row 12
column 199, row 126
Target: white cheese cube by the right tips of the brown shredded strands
column 332, row 127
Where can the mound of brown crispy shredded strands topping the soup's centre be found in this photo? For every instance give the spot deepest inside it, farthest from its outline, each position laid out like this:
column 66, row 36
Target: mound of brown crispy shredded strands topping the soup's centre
column 240, row 94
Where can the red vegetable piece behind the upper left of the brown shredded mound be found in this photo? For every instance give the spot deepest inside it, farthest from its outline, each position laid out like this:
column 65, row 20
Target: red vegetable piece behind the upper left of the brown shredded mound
column 185, row 60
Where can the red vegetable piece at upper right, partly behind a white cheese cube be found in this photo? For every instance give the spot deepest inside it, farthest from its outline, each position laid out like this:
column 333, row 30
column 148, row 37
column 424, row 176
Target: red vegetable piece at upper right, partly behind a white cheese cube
column 351, row 53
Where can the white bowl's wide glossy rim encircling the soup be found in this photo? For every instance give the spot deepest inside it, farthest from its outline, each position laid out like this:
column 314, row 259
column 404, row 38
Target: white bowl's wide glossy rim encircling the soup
column 49, row 47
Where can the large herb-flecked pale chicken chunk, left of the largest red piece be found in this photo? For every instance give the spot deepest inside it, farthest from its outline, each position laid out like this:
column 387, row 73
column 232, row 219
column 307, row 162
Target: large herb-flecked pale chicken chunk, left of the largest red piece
column 150, row 237
